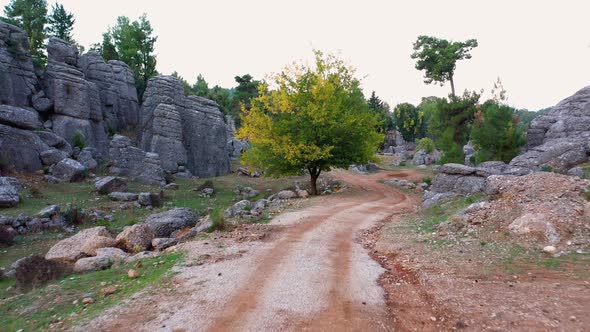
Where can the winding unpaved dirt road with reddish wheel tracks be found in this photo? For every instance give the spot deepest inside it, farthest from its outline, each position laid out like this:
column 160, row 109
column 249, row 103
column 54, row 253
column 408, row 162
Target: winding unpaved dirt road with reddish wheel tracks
column 310, row 273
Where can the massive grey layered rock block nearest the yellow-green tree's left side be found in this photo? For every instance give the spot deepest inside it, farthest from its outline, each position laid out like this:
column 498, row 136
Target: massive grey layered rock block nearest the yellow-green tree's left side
column 195, row 133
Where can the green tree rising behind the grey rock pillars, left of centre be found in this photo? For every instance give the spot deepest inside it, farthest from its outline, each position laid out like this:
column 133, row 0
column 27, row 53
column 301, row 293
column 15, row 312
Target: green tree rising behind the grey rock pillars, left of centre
column 132, row 43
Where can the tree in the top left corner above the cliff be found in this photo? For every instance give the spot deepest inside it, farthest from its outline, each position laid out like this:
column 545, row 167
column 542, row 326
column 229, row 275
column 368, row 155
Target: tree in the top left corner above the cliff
column 31, row 16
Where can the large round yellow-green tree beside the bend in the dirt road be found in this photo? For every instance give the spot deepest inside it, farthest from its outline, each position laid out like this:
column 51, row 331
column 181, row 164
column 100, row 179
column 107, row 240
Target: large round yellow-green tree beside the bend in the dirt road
column 314, row 119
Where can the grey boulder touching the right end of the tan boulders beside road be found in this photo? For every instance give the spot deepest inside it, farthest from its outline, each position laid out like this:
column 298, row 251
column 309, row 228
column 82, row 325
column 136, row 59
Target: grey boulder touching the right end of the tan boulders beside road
column 165, row 223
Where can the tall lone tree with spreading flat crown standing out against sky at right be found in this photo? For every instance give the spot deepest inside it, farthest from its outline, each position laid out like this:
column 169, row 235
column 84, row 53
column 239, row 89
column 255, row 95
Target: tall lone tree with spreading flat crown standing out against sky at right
column 438, row 58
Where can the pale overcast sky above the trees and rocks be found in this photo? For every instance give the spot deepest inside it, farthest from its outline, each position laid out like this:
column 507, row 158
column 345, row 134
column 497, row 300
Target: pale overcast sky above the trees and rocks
column 540, row 49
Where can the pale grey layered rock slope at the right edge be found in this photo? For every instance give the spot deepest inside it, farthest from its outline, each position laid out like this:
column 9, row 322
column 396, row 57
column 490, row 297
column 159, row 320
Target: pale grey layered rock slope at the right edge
column 561, row 138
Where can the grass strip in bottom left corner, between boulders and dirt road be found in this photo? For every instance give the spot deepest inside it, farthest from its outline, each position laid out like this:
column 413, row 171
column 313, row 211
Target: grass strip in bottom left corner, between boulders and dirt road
column 55, row 301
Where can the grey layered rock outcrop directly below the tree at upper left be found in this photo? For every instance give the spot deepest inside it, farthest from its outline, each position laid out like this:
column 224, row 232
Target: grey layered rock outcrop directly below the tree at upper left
column 116, row 86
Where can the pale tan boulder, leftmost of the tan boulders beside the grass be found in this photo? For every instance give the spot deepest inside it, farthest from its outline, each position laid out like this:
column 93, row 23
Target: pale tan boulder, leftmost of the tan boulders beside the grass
column 71, row 249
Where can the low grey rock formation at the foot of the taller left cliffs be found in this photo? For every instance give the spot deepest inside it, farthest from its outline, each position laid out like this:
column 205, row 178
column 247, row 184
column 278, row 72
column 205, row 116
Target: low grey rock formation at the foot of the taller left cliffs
column 127, row 160
